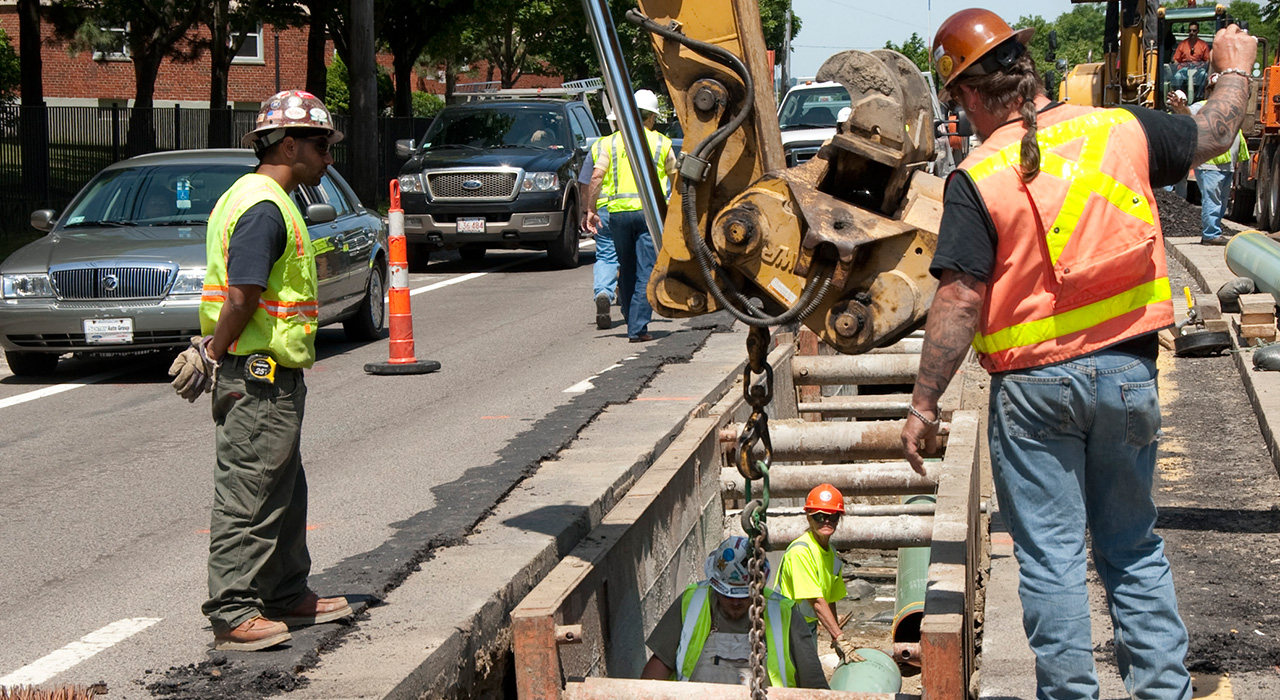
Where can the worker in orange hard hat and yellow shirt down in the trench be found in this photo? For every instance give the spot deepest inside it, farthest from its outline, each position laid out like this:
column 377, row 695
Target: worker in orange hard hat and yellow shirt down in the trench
column 811, row 570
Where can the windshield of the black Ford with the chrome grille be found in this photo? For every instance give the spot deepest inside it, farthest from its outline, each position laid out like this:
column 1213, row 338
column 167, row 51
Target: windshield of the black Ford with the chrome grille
column 500, row 127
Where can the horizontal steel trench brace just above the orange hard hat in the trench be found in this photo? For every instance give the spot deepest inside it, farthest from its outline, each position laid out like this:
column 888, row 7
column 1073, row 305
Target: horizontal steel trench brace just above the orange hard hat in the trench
column 868, row 479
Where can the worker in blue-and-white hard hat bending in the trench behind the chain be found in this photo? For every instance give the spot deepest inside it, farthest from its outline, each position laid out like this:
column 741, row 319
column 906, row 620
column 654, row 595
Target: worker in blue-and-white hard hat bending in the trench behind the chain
column 703, row 637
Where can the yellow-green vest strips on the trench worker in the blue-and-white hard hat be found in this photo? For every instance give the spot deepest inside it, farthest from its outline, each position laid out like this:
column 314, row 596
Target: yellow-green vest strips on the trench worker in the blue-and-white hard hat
column 696, row 630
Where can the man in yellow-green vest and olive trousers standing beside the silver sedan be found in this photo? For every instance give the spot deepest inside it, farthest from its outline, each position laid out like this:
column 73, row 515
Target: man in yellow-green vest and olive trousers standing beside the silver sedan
column 259, row 317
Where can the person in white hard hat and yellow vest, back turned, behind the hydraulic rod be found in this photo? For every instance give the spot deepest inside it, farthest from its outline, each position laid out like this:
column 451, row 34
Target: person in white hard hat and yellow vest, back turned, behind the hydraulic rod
column 612, row 180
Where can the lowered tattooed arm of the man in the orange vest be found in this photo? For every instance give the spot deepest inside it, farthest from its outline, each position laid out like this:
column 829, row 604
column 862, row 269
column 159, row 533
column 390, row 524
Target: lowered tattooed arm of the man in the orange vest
column 948, row 335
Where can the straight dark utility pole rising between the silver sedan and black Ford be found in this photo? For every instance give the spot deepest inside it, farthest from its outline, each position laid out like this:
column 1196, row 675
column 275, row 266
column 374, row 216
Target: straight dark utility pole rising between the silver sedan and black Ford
column 363, row 140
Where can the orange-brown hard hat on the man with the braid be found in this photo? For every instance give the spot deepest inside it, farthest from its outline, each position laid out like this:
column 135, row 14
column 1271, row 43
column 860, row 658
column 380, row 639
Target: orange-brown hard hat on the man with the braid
column 979, row 42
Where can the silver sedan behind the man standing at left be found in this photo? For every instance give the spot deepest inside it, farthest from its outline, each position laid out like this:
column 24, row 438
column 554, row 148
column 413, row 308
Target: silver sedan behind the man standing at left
column 124, row 267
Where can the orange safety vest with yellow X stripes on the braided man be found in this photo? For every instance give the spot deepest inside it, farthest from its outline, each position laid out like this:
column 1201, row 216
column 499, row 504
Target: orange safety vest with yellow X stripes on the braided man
column 1080, row 257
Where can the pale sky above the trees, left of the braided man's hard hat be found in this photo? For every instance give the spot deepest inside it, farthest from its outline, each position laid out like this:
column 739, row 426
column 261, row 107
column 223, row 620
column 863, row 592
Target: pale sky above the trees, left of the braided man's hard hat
column 834, row 26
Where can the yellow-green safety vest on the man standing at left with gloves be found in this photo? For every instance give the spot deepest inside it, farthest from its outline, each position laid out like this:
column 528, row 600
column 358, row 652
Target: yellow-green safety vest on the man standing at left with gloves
column 289, row 312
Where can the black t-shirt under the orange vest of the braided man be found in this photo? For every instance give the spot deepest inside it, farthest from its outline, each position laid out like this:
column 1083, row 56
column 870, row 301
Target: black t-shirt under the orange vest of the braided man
column 967, row 236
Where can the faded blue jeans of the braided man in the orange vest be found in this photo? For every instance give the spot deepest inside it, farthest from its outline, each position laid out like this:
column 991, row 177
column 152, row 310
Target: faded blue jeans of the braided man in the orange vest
column 1073, row 446
